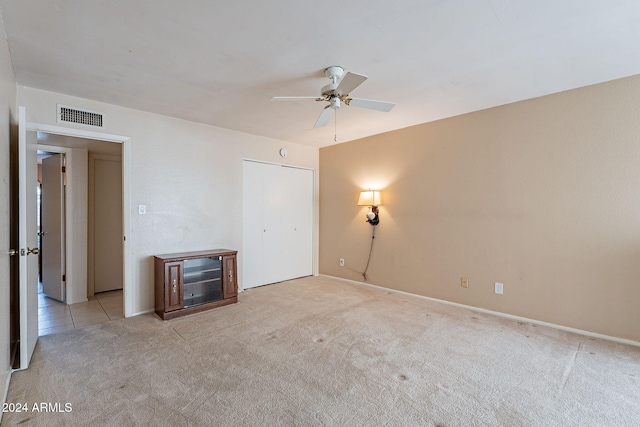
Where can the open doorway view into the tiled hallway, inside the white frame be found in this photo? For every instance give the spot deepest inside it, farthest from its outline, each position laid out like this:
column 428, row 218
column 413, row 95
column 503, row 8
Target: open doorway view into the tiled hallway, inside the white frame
column 95, row 204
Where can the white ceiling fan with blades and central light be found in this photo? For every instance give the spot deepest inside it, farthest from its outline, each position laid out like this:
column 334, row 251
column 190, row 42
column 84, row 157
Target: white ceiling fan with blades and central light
column 337, row 92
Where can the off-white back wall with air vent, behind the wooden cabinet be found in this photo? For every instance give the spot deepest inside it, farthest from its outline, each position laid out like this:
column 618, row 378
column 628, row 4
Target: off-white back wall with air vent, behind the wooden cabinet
column 188, row 175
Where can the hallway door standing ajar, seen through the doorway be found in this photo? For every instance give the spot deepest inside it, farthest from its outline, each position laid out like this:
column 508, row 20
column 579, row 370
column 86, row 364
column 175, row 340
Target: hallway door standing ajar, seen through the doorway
column 52, row 243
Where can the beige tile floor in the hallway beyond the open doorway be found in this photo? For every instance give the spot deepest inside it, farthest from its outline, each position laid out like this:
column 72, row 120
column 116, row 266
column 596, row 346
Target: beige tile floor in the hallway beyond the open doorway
column 54, row 316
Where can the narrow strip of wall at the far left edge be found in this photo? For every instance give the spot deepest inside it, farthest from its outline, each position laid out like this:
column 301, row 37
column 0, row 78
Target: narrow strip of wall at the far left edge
column 8, row 118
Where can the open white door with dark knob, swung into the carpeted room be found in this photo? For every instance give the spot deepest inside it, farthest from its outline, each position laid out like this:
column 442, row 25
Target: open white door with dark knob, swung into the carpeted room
column 27, row 239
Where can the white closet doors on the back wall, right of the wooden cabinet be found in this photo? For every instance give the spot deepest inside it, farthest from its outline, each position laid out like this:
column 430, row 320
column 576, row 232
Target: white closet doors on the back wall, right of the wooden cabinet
column 278, row 220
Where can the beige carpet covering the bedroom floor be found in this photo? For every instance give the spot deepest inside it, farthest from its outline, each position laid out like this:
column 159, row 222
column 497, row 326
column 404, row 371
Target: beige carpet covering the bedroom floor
column 318, row 351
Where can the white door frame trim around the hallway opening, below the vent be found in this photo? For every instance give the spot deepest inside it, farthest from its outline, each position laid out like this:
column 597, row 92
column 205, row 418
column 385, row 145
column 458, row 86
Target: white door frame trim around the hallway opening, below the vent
column 127, row 280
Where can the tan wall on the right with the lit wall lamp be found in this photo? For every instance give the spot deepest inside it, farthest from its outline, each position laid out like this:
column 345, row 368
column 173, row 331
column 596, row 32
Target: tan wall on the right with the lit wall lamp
column 542, row 195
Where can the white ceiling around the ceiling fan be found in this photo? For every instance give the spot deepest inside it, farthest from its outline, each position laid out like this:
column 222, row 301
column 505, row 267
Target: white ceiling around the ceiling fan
column 220, row 62
